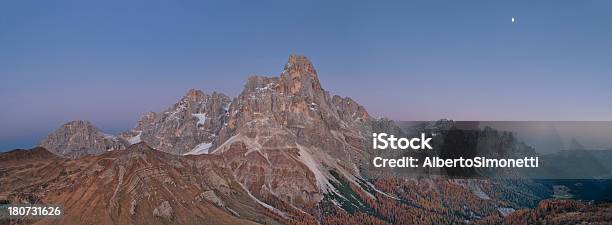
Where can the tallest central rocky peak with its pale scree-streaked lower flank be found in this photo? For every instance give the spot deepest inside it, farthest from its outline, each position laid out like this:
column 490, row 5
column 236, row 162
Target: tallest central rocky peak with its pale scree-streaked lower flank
column 284, row 134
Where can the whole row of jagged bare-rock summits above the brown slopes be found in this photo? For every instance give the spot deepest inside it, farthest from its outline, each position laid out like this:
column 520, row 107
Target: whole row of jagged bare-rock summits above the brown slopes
column 194, row 123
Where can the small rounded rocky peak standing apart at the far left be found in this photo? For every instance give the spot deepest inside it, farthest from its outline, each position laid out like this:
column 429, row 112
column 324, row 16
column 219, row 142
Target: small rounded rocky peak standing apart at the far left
column 78, row 138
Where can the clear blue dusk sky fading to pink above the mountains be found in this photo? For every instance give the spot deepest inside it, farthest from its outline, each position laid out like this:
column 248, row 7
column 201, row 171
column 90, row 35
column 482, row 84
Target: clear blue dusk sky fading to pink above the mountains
column 110, row 62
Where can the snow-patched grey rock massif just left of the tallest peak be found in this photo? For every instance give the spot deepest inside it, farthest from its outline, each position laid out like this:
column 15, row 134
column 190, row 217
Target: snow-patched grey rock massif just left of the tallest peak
column 188, row 127
